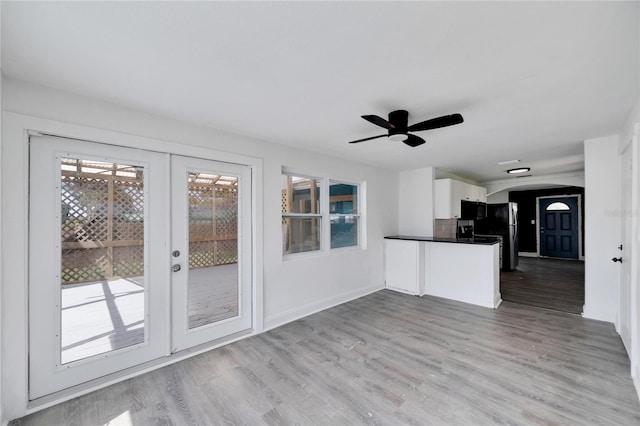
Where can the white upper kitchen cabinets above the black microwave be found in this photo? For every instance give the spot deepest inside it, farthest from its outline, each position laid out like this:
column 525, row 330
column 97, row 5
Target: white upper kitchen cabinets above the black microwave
column 448, row 194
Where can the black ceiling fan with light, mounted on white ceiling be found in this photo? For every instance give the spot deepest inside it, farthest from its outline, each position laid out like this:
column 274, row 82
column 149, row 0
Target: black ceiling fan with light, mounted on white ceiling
column 398, row 128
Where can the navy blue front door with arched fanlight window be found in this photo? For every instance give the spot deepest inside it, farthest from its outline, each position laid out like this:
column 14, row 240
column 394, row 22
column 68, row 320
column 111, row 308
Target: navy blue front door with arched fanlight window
column 559, row 227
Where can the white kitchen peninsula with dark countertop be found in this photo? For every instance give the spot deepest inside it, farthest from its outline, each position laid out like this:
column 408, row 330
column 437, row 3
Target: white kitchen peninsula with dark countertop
column 466, row 270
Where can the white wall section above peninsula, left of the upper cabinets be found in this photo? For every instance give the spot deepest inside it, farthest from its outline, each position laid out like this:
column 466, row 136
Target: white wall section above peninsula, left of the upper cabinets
column 416, row 202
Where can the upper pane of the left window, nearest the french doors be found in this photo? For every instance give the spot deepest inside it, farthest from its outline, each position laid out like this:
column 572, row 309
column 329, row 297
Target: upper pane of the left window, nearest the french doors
column 300, row 195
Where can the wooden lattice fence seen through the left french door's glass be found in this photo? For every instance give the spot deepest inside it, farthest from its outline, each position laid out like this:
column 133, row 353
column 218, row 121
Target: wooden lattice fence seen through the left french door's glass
column 102, row 222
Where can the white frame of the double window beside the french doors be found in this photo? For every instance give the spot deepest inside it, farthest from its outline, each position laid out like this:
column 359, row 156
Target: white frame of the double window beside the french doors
column 325, row 215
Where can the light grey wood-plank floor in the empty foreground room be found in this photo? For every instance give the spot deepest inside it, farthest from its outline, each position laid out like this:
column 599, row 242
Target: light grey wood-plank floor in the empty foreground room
column 391, row 359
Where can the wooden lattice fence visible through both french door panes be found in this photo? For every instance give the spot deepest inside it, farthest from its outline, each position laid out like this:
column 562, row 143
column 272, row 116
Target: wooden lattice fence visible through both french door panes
column 102, row 225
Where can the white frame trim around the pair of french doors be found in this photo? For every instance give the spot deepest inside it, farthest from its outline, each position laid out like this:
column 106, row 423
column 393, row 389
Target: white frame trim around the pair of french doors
column 15, row 176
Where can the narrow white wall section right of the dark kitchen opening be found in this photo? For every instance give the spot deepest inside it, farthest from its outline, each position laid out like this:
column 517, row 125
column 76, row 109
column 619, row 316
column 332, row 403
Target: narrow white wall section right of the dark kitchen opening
column 602, row 228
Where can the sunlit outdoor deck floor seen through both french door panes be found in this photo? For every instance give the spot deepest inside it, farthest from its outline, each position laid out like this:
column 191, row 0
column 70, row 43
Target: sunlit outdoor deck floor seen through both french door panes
column 103, row 316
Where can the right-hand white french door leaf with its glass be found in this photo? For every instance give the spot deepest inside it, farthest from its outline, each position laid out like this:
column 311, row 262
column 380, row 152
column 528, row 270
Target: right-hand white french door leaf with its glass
column 211, row 250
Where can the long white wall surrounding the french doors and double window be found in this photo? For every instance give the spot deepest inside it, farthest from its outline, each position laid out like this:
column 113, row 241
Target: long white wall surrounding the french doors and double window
column 291, row 288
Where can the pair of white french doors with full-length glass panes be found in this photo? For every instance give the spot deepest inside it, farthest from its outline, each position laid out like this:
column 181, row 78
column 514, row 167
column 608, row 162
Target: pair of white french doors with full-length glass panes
column 133, row 255
